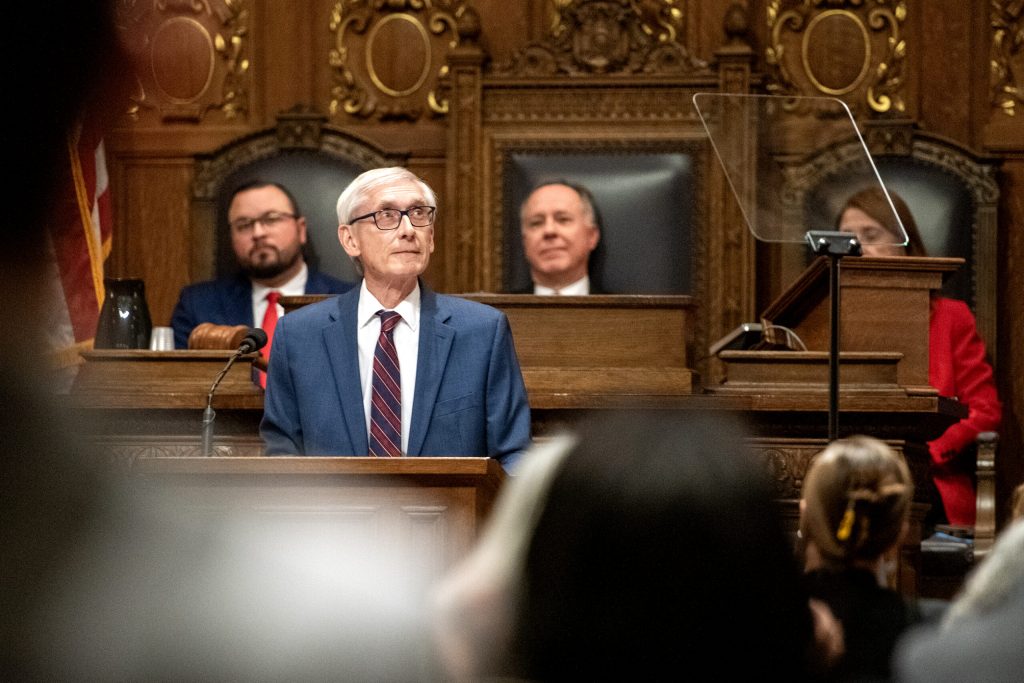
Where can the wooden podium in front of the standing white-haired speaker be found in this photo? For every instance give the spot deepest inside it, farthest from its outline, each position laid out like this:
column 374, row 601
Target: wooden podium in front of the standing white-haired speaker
column 430, row 508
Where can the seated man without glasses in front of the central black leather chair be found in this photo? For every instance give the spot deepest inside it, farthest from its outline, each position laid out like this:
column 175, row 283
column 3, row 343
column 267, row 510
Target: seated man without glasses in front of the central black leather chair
column 561, row 230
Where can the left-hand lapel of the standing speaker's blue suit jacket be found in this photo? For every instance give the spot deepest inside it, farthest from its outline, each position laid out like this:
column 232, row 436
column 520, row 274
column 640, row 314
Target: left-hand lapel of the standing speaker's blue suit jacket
column 340, row 340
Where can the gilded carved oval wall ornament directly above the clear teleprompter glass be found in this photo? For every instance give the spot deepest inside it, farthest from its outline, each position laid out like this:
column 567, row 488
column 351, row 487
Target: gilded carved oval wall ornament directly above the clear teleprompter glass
column 868, row 74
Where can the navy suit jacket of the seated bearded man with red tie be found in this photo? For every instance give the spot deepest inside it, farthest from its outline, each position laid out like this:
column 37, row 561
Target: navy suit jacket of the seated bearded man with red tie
column 230, row 302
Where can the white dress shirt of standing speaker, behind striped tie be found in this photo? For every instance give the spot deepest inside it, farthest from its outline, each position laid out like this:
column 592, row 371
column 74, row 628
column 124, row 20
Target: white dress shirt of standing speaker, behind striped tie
column 407, row 344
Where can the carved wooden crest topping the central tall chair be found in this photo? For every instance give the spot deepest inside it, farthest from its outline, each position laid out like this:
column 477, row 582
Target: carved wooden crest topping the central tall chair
column 608, row 37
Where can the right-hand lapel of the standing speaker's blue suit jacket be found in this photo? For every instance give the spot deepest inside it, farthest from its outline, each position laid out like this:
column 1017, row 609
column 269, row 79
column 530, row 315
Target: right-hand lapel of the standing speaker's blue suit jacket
column 436, row 345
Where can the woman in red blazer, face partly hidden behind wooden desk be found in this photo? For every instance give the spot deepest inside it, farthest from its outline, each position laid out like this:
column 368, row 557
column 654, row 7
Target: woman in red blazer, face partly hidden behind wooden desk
column 957, row 365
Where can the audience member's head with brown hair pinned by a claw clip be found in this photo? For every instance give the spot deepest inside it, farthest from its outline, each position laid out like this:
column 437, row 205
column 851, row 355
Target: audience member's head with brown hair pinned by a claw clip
column 857, row 501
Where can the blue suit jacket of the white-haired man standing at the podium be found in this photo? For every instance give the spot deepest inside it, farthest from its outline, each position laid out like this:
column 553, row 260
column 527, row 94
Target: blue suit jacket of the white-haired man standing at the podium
column 470, row 398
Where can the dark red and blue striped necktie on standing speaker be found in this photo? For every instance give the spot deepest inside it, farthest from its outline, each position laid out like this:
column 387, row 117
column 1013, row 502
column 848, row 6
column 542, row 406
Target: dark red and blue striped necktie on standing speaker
column 386, row 398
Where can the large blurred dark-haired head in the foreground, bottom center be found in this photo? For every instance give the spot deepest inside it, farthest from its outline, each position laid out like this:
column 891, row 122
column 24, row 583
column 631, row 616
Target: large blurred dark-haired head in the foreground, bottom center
column 661, row 549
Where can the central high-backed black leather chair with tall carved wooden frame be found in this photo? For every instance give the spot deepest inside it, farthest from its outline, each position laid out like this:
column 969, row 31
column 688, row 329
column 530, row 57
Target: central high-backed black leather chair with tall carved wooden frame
column 615, row 114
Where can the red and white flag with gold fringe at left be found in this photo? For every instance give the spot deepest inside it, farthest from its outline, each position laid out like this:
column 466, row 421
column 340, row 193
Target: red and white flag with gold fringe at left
column 80, row 242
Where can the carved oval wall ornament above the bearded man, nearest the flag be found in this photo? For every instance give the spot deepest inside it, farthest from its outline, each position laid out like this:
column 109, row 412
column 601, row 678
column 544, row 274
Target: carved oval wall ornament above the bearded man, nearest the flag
column 190, row 57
